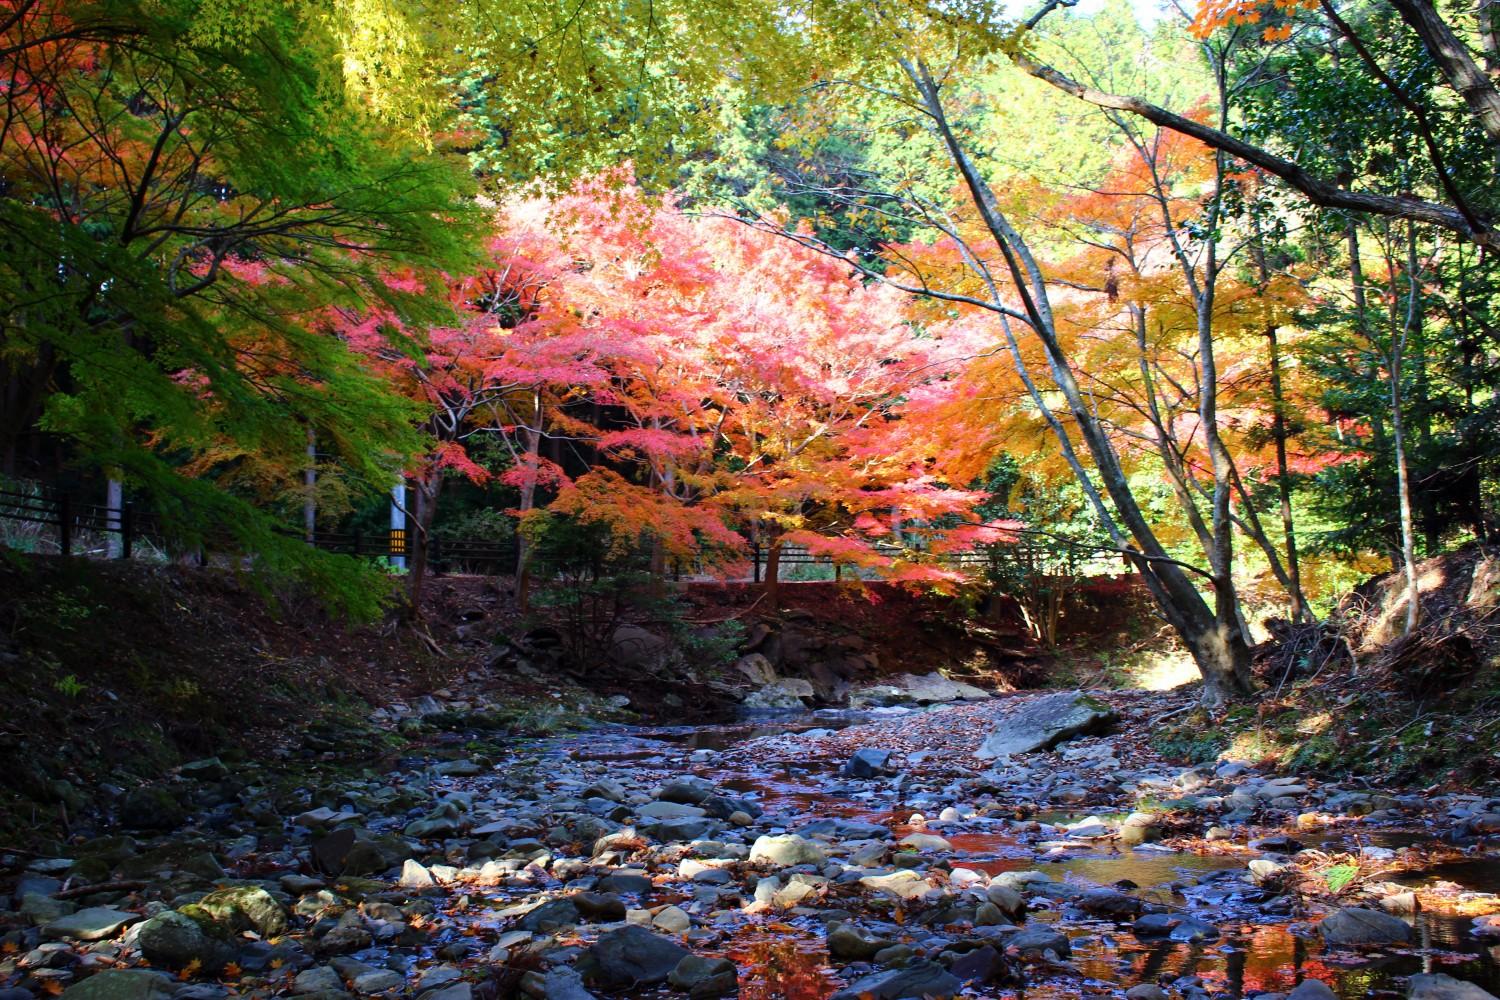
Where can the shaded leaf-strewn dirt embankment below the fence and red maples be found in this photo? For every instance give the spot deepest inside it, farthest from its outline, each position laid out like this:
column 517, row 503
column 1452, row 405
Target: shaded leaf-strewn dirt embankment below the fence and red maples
column 116, row 674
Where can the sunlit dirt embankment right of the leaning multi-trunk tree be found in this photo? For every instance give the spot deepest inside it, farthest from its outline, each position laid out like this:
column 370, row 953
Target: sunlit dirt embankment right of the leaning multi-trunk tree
column 1361, row 698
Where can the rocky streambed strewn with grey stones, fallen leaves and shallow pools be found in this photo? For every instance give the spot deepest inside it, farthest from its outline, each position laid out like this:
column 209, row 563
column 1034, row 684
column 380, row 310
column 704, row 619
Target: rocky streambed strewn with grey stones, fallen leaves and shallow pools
column 1027, row 846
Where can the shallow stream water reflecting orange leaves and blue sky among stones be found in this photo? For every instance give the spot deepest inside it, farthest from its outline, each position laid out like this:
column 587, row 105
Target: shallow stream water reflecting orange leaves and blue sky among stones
column 784, row 957
